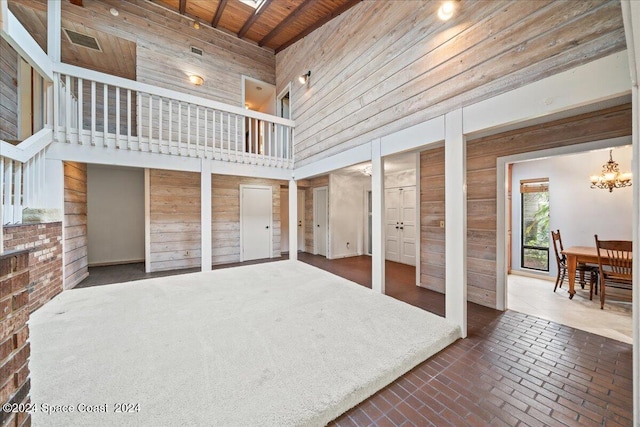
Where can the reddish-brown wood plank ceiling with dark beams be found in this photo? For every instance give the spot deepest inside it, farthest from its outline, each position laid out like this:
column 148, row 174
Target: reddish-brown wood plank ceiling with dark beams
column 275, row 24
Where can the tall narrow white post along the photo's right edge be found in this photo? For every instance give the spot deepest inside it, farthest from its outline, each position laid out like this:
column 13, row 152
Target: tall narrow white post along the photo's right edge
column 631, row 19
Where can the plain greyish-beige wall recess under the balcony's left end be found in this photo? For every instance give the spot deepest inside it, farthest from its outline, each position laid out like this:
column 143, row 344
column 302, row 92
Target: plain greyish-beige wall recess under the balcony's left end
column 115, row 214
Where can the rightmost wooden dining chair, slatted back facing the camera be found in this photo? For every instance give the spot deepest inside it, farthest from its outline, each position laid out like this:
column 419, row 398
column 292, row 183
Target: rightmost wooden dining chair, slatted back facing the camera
column 615, row 271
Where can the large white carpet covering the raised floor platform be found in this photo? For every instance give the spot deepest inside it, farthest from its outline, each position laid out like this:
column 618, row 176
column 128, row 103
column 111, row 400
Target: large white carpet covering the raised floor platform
column 276, row 344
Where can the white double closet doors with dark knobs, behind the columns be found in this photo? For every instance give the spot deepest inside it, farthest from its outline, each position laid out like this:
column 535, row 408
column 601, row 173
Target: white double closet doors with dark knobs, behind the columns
column 400, row 214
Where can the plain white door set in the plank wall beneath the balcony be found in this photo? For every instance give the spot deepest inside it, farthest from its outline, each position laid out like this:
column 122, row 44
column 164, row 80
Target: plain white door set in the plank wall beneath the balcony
column 255, row 222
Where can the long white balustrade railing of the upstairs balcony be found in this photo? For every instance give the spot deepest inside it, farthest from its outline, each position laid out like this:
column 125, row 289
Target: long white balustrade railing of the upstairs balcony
column 96, row 109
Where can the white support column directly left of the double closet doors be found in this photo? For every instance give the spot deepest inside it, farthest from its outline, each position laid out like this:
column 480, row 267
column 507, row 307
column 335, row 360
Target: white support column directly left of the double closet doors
column 377, row 218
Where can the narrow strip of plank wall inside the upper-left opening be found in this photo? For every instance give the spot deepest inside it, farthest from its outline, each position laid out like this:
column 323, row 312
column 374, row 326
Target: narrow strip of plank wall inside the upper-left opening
column 8, row 92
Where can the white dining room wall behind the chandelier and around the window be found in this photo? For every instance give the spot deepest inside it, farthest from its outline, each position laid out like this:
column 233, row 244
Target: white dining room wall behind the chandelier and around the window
column 576, row 209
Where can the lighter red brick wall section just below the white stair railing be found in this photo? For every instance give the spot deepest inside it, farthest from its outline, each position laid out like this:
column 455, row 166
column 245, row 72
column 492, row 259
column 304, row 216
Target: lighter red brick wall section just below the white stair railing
column 45, row 259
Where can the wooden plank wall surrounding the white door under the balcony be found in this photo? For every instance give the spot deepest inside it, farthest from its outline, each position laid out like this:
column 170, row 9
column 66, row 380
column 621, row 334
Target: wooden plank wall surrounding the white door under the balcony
column 225, row 206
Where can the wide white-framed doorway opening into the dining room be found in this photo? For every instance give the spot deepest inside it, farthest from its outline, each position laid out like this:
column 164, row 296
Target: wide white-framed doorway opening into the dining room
column 528, row 271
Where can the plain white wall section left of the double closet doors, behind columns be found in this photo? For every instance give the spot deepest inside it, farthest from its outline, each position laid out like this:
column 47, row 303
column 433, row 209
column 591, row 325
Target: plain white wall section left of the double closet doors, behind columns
column 346, row 215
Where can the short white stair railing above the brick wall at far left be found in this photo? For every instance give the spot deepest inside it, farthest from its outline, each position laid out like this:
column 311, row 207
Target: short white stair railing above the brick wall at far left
column 22, row 176
